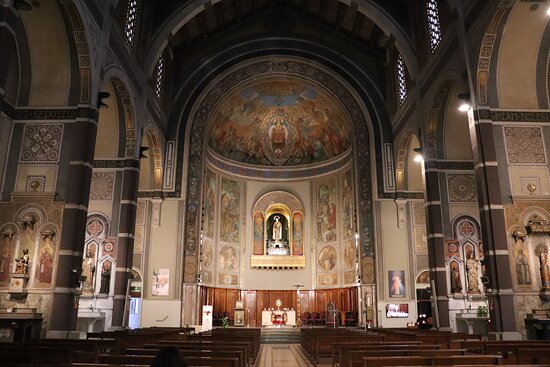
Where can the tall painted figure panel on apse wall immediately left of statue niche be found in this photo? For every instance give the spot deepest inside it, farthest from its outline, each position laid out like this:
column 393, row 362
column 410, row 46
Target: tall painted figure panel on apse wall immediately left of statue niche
column 230, row 211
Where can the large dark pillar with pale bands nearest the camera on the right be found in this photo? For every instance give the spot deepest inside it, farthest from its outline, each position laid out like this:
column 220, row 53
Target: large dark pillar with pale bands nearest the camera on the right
column 493, row 225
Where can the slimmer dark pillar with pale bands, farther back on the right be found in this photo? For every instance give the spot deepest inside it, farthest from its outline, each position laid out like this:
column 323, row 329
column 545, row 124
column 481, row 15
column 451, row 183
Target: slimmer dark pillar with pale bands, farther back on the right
column 436, row 244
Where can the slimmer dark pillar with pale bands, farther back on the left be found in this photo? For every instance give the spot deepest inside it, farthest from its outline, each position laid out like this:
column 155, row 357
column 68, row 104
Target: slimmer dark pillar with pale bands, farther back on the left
column 125, row 248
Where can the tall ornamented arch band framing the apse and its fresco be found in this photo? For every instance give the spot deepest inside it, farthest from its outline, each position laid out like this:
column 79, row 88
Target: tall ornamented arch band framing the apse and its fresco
column 199, row 136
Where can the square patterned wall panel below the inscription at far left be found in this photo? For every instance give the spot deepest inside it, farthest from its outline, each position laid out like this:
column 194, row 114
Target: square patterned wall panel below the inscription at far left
column 41, row 143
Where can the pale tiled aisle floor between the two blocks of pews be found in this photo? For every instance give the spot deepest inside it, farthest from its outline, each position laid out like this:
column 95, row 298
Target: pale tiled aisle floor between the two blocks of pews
column 284, row 355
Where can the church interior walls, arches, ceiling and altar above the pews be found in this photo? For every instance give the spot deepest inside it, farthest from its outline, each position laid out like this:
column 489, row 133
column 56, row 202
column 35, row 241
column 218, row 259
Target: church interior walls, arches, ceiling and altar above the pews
column 366, row 163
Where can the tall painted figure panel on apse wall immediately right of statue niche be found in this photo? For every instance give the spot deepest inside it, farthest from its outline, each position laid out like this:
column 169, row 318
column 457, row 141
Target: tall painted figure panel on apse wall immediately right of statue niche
column 326, row 210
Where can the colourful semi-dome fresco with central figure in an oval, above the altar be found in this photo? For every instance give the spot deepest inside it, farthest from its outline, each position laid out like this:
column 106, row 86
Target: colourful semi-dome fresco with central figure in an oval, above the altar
column 279, row 121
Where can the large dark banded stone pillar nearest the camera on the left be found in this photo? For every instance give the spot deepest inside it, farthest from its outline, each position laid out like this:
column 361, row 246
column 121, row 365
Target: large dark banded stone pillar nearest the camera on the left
column 77, row 192
